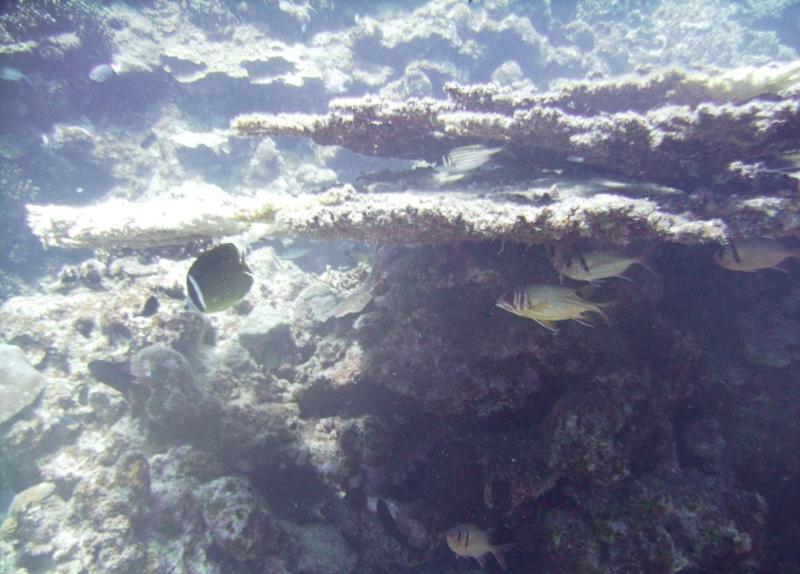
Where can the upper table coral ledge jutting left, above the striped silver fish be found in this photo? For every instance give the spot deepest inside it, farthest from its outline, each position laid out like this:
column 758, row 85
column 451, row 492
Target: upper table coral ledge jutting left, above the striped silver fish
column 664, row 127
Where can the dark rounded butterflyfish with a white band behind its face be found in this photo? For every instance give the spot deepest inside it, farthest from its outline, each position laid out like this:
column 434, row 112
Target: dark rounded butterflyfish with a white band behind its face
column 218, row 279
